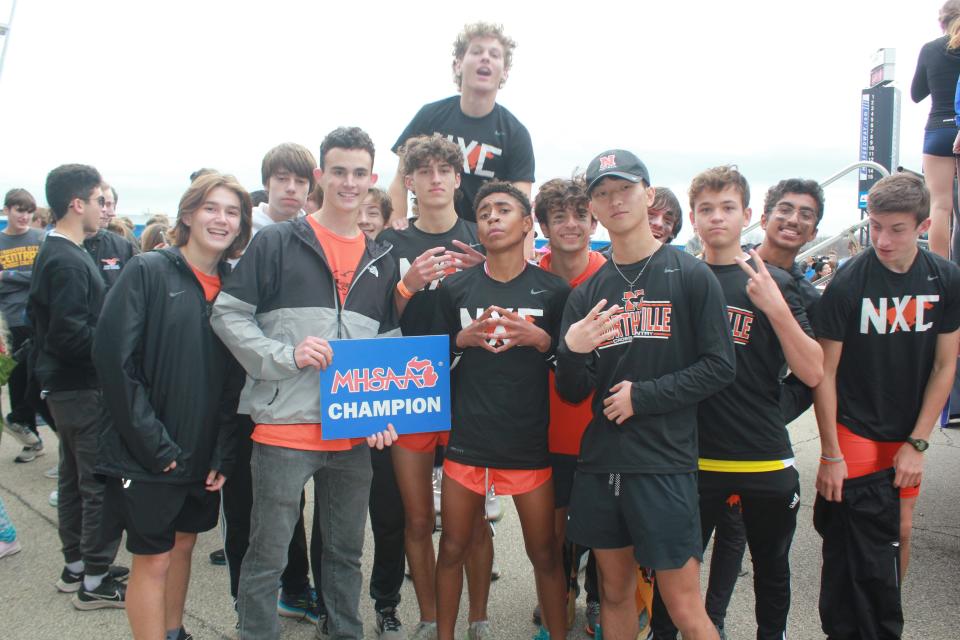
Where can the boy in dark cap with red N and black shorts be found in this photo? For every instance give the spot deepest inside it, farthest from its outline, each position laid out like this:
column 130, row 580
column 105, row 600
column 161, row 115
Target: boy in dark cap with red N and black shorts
column 651, row 357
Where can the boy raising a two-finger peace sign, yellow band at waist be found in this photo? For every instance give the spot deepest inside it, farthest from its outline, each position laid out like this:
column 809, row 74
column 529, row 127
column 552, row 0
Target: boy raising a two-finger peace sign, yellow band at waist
column 745, row 449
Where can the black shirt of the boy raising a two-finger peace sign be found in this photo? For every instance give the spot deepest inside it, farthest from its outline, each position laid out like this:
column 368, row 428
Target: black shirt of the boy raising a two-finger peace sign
column 743, row 422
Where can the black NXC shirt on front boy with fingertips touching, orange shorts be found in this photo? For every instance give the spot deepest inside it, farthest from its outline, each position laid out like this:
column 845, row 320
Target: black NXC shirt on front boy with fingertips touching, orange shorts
column 501, row 404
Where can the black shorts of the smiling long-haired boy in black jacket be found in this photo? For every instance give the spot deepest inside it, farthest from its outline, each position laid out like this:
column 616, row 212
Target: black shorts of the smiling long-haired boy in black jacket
column 153, row 512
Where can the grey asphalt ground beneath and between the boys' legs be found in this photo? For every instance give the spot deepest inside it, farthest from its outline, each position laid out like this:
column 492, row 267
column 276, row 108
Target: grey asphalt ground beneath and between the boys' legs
column 31, row 607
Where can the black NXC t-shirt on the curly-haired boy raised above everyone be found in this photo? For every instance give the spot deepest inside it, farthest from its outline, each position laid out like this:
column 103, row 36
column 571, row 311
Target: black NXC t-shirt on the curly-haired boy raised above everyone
column 495, row 147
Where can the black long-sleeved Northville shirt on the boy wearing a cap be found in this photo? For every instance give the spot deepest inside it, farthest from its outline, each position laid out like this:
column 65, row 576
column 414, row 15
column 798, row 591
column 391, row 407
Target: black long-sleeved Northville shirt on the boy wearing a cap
column 672, row 341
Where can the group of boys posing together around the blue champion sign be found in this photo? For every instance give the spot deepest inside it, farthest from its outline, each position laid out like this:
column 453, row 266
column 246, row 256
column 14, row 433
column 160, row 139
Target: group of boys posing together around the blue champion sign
column 623, row 399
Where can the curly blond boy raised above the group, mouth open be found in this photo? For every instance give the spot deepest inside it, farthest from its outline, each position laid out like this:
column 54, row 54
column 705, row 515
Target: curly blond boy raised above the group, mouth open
column 495, row 145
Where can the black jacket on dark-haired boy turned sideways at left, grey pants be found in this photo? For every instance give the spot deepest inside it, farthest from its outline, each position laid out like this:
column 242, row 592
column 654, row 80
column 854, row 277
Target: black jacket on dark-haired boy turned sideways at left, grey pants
column 66, row 293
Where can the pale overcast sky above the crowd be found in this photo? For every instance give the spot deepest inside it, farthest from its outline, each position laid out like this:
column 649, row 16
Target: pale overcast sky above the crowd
column 148, row 92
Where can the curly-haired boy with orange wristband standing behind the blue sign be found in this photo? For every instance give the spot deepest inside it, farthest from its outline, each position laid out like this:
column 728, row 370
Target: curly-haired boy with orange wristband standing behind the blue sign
column 434, row 245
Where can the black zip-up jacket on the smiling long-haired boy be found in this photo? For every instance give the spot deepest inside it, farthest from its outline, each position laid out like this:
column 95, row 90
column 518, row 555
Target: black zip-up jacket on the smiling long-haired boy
column 169, row 383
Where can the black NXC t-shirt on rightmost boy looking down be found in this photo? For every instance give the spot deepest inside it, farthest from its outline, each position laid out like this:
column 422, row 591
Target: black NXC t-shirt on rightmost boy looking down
column 889, row 324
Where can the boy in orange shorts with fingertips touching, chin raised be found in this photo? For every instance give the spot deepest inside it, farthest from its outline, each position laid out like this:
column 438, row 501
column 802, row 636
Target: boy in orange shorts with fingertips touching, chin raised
column 503, row 318
